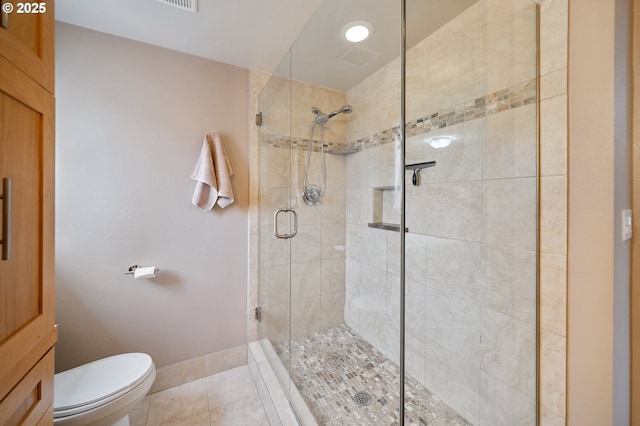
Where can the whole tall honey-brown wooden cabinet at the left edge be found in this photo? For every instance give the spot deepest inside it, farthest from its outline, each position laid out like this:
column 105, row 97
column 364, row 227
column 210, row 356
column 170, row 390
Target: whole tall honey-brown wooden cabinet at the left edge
column 27, row 321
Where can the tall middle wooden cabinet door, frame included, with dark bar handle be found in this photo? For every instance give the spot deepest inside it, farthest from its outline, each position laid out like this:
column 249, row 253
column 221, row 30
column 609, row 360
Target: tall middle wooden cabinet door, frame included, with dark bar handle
column 27, row 328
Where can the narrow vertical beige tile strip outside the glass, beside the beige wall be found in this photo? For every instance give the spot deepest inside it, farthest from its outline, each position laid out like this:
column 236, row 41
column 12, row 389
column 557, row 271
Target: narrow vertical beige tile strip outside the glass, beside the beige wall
column 554, row 18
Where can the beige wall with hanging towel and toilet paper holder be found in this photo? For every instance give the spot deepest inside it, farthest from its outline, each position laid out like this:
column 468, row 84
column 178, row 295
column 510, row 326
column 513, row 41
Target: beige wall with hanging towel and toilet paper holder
column 130, row 123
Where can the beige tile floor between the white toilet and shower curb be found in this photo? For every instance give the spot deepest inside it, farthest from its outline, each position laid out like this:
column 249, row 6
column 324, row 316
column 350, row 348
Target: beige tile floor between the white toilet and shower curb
column 227, row 398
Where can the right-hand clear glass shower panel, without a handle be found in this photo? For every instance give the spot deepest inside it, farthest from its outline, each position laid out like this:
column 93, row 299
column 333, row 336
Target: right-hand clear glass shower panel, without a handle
column 471, row 250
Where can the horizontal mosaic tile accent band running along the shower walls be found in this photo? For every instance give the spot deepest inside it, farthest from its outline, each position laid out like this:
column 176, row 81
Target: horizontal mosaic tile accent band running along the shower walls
column 519, row 95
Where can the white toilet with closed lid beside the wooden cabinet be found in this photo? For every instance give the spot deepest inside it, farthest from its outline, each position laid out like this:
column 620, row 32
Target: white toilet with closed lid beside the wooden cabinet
column 102, row 392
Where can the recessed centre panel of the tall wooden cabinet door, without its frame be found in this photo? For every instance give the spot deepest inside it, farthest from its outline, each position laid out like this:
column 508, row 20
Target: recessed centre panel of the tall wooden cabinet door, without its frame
column 20, row 152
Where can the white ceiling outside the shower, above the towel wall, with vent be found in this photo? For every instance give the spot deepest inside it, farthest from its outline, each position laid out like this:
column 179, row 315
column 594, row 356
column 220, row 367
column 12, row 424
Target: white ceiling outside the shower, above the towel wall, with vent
column 252, row 34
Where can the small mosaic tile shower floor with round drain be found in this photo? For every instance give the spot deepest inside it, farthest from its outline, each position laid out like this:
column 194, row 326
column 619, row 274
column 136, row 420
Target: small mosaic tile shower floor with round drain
column 330, row 367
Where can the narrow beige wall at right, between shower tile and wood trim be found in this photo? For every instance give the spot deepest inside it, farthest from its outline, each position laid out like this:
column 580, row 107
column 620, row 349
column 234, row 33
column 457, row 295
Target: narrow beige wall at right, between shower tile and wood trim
column 596, row 121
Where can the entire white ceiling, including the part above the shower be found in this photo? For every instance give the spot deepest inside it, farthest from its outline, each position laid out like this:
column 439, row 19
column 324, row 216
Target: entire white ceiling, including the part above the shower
column 257, row 34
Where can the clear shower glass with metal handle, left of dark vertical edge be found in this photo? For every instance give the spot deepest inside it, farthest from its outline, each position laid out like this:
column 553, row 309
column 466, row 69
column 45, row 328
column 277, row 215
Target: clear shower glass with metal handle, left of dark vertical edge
column 330, row 296
